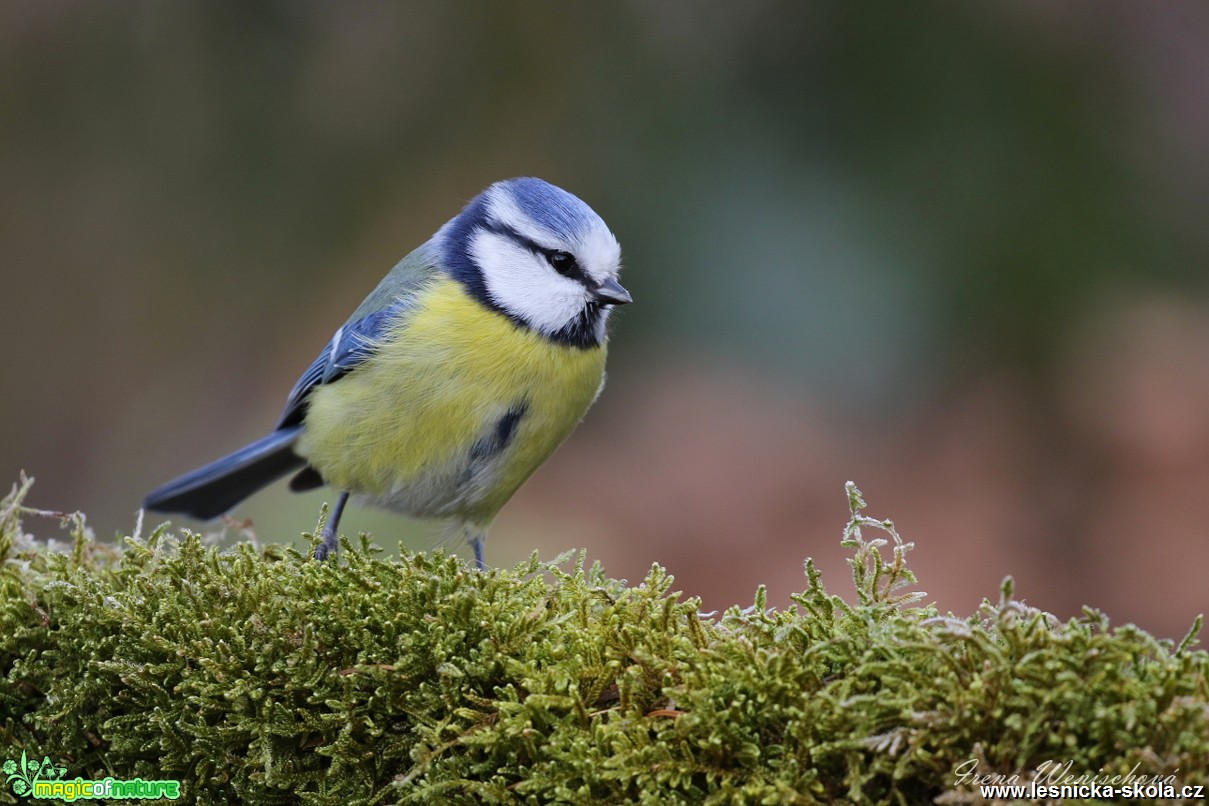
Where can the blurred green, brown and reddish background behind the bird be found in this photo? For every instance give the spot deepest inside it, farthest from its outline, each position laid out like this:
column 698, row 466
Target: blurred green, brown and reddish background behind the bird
column 953, row 252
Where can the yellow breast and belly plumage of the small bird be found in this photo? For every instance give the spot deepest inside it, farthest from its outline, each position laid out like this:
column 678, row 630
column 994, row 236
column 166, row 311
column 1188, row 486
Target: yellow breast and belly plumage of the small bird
column 454, row 411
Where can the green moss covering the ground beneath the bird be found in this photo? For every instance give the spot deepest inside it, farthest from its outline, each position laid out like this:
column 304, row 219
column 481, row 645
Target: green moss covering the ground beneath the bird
column 256, row 675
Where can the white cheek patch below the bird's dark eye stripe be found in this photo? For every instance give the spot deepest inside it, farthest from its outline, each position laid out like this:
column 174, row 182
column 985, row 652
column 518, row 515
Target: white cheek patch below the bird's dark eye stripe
column 524, row 286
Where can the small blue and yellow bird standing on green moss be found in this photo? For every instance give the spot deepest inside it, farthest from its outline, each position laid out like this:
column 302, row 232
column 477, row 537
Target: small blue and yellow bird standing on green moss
column 454, row 381
